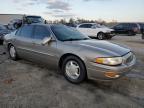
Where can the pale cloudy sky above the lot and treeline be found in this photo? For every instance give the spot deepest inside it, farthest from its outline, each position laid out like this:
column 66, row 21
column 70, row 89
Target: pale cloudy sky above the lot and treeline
column 108, row 10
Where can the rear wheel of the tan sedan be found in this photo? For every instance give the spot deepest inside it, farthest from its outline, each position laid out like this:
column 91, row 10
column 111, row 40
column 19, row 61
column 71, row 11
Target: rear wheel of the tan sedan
column 12, row 53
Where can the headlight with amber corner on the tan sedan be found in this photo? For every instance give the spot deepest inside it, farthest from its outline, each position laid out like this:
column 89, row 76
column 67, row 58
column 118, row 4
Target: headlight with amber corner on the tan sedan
column 109, row 61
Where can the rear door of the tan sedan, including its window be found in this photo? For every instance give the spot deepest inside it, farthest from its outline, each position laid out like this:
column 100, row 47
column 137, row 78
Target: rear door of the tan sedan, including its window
column 23, row 41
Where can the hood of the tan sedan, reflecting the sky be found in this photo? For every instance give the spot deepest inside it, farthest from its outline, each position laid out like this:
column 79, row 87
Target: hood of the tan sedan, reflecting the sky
column 104, row 47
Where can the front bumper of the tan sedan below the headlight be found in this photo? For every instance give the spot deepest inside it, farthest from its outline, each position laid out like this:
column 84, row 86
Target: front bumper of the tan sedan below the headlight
column 98, row 71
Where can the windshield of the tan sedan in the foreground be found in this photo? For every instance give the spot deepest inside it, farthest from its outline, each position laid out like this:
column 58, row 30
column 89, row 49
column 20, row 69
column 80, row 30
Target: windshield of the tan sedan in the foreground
column 64, row 33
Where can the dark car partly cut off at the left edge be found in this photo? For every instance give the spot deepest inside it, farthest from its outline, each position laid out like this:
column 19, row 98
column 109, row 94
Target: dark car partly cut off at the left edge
column 3, row 32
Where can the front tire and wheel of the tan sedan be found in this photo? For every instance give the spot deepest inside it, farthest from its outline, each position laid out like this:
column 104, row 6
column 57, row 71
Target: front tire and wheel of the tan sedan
column 74, row 69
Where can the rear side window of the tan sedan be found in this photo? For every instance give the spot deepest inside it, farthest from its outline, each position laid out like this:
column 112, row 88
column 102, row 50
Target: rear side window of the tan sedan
column 26, row 31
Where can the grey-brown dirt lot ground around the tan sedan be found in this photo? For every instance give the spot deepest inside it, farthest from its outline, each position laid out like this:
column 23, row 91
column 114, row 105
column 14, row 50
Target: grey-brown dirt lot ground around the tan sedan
column 27, row 85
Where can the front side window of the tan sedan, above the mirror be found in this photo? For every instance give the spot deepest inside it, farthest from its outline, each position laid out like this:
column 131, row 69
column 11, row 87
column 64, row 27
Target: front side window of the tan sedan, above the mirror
column 41, row 32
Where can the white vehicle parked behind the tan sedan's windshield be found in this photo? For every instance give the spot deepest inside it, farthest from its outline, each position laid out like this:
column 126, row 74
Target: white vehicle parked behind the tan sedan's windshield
column 96, row 30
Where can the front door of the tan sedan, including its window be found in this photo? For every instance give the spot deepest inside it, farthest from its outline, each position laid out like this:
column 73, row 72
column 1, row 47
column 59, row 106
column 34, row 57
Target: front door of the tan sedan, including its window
column 44, row 53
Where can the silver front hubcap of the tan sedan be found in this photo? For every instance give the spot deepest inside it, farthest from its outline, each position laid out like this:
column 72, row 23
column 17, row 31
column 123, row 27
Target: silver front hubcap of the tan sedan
column 72, row 69
